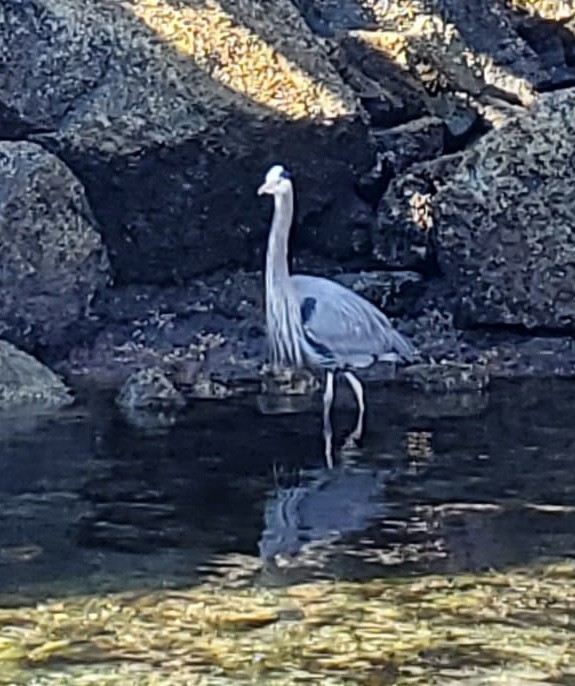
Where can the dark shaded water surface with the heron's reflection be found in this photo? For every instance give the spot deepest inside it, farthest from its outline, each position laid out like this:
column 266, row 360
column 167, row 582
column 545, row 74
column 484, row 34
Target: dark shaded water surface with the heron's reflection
column 88, row 503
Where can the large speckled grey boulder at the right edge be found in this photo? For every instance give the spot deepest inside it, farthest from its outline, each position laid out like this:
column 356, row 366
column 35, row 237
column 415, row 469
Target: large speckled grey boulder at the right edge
column 499, row 220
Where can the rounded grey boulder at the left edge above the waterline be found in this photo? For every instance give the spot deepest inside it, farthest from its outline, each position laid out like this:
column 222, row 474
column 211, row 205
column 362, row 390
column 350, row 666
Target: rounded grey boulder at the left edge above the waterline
column 52, row 257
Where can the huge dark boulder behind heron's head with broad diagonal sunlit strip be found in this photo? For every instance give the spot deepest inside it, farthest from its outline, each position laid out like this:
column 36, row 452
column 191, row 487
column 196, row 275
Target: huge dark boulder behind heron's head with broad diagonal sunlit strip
column 170, row 114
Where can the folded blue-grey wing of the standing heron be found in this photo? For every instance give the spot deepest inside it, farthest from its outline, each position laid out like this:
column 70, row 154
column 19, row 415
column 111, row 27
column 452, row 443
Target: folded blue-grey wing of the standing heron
column 344, row 327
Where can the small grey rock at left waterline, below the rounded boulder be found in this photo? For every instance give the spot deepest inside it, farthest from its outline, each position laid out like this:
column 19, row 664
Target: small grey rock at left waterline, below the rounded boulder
column 25, row 381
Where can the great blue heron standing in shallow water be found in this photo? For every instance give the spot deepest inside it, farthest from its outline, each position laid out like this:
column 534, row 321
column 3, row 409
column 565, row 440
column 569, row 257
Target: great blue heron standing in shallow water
column 316, row 322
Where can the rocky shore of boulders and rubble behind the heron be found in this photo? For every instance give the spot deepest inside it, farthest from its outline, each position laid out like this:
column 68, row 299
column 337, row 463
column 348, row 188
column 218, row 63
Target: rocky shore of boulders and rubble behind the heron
column 432, row 144
